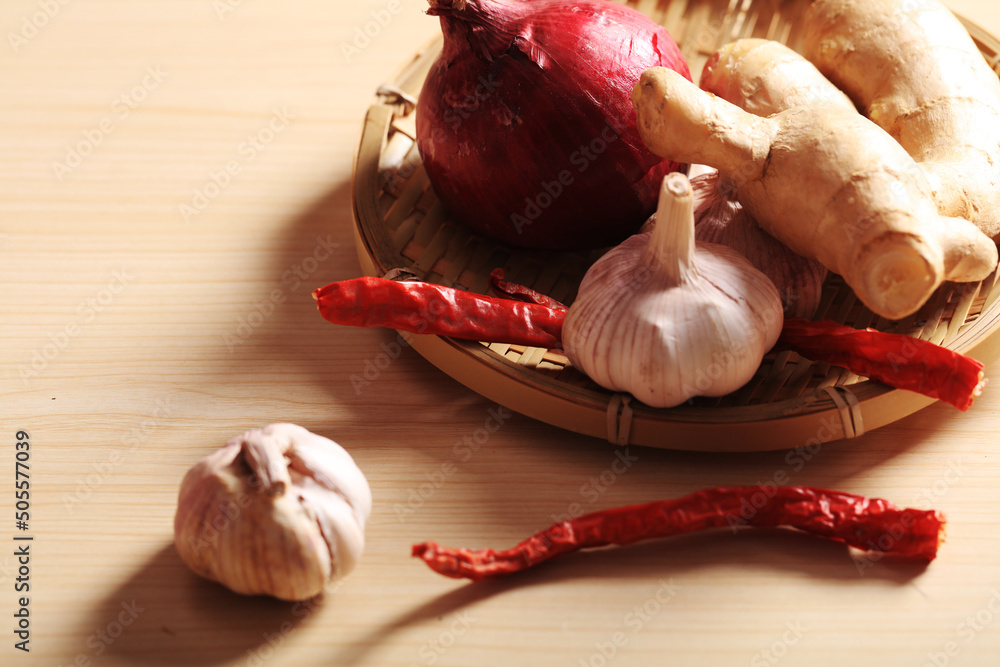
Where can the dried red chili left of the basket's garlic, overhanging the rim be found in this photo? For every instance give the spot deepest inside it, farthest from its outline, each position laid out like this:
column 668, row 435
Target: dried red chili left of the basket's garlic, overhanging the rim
column 426, row 308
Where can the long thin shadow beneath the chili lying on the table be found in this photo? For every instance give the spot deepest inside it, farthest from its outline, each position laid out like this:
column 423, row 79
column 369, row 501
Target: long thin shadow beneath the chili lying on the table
column 761, row 552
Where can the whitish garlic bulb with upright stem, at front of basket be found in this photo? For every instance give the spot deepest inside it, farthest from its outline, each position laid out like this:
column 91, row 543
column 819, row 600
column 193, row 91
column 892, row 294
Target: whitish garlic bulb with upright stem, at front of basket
column 666, row 319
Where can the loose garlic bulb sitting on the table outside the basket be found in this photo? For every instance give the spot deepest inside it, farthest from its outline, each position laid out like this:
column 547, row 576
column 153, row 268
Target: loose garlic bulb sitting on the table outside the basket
column 277, row 511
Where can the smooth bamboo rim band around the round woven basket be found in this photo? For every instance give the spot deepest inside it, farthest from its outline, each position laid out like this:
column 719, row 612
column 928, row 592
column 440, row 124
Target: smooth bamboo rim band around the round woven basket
column 822, row 415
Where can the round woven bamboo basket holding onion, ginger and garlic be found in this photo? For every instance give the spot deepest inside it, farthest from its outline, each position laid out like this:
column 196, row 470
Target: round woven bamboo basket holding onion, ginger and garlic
column 790, row 402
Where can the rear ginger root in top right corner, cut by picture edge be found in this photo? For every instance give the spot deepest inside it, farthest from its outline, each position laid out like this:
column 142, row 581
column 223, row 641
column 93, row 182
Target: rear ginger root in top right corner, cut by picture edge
column 913, row 69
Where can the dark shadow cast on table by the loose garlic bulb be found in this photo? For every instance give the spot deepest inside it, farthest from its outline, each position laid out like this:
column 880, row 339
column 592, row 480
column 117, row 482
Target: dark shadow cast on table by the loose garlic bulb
column 165, row 615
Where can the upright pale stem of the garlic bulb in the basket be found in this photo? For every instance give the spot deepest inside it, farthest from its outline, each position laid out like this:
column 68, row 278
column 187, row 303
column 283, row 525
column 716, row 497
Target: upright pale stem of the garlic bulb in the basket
column 671, row 249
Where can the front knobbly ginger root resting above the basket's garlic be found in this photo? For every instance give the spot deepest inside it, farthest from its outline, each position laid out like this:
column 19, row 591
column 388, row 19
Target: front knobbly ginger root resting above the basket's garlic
column 828, row 183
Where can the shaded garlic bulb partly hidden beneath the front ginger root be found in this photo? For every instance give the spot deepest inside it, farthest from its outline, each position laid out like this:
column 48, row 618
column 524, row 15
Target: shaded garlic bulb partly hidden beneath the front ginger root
column 719, row 218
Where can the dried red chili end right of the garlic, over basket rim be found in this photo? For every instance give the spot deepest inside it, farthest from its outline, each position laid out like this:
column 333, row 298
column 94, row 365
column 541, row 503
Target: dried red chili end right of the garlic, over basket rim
column 897, row 360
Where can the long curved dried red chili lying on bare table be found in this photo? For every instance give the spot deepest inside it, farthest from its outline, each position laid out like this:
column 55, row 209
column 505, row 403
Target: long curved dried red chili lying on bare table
column 871, row 524
